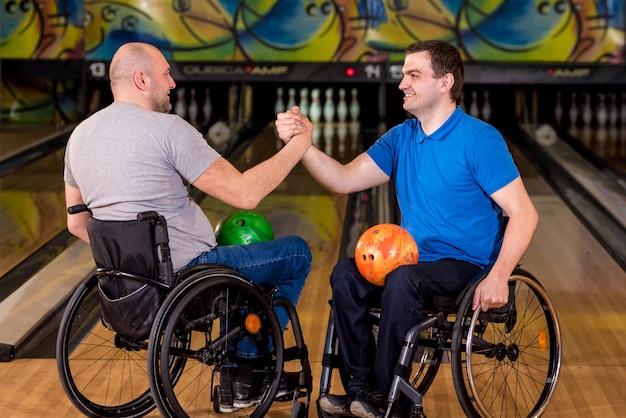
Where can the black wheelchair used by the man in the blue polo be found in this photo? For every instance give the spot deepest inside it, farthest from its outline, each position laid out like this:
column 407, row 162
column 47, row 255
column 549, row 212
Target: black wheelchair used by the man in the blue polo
column 504, row 362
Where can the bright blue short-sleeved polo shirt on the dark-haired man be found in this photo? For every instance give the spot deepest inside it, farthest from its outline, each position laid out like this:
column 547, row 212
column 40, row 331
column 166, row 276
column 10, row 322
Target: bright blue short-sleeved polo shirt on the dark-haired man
column 443, row 184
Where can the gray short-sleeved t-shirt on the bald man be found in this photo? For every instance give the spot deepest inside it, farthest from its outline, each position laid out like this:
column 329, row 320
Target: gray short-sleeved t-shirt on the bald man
column 125, row 159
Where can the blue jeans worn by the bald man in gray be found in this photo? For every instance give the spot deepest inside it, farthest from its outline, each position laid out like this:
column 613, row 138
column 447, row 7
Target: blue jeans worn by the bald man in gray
column 284, row 263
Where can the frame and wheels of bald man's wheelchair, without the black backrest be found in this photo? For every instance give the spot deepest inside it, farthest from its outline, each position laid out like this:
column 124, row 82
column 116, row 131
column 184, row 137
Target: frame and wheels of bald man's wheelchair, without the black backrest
column 193, row 337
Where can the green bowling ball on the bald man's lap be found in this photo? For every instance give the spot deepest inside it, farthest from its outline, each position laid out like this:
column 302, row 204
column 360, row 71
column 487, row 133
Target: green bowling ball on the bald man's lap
column 243, row 227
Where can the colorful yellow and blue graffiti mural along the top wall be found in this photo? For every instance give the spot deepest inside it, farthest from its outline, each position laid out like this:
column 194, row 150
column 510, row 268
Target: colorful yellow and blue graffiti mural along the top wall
column 316, row 30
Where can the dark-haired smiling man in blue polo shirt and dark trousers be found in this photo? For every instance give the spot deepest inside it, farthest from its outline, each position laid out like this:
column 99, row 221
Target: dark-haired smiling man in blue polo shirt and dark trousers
column 454, row 178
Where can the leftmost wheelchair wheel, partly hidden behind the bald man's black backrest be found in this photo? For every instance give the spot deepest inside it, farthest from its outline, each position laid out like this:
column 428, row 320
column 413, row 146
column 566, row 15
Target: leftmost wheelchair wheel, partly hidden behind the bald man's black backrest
column 102, row 373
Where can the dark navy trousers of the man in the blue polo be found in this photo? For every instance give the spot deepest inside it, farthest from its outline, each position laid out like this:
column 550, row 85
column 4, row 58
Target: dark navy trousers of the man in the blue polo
column 401, row 301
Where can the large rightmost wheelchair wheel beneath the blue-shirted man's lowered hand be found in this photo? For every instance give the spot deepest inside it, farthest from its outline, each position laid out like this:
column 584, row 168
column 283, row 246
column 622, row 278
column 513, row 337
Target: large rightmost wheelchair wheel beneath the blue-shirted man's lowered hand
column 506, row 361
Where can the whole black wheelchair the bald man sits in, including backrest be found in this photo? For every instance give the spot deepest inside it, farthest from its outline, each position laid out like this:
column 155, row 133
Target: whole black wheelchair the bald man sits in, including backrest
column 172, row 357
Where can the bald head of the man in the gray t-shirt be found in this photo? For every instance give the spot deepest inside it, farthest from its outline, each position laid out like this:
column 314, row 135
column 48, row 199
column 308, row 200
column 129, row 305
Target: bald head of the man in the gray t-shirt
column 139, row 73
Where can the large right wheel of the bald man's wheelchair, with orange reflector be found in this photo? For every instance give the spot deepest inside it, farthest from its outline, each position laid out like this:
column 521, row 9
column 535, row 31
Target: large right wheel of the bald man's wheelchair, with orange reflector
column 211, row 311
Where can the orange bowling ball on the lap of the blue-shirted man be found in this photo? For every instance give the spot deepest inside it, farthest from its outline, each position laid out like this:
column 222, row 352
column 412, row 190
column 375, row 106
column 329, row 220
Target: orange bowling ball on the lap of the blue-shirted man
column 383, row 248
